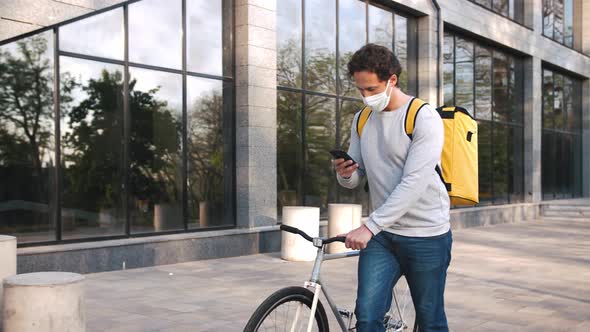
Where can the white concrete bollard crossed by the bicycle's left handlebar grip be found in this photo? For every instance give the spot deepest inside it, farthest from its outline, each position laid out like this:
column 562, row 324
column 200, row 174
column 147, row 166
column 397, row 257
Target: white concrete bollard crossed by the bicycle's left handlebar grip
column 293, row 246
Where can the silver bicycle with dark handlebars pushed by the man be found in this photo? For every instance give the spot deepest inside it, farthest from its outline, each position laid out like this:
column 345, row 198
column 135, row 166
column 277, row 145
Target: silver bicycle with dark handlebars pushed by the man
column 299, row 309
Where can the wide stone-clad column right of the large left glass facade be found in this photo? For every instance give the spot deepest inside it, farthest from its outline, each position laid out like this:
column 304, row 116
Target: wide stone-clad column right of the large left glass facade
column 256, row 142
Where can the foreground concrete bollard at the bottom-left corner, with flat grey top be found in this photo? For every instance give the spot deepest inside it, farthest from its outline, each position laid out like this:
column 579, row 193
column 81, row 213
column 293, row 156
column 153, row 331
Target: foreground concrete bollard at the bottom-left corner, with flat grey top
column 44, row 302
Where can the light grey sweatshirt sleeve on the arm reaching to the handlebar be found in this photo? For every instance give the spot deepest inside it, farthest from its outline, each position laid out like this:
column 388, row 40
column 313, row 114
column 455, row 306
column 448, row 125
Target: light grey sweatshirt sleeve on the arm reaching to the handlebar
column 423, row 156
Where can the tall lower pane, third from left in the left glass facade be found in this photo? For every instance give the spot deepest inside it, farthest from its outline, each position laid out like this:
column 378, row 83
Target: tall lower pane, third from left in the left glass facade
column 156, row 130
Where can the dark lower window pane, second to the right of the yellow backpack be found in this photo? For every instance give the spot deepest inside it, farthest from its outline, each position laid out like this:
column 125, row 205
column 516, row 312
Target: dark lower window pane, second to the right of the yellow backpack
column 502, row 163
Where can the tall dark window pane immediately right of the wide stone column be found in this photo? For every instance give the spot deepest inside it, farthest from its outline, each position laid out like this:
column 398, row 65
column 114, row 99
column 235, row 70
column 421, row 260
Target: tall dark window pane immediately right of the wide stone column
column 289, row 156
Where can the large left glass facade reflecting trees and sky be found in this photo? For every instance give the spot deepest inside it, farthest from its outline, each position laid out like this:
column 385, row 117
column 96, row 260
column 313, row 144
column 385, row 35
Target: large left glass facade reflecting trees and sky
column 119, row 124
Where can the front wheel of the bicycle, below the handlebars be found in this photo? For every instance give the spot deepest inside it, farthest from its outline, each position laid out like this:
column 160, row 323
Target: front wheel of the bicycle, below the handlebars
column 288, row 309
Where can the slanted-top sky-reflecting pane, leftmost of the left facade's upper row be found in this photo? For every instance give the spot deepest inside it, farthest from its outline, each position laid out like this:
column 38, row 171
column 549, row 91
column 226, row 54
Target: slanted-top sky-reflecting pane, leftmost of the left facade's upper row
column 100, row 35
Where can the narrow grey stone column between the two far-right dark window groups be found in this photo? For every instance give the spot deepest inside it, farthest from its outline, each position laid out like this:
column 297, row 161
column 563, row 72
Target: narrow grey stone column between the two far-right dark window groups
column 533, row 129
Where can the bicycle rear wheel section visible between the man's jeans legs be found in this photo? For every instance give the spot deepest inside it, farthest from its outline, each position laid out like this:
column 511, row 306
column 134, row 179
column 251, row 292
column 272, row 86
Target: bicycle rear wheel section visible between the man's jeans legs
column 401, row 316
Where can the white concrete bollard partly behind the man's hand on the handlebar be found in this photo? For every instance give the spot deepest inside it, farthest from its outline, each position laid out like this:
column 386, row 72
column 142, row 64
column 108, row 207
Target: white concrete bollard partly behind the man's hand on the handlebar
column 342, row 218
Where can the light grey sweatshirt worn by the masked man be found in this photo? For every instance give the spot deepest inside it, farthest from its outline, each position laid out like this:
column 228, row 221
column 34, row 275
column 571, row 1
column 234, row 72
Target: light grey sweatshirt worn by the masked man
column 407, row 195
